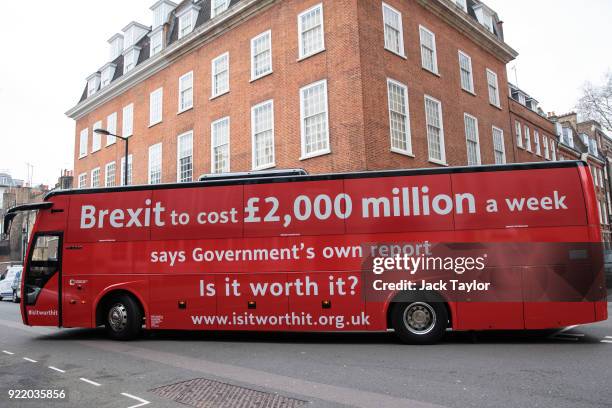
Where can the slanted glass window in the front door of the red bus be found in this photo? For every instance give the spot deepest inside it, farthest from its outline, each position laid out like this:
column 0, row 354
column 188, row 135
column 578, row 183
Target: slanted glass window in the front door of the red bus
column 43, row 264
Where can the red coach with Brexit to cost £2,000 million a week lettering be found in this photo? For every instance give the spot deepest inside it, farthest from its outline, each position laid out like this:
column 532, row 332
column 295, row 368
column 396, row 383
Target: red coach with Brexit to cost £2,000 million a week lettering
column 286, row 251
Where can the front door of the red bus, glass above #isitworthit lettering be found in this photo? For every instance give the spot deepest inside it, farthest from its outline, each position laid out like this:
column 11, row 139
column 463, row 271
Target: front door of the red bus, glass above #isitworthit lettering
column 41, row 281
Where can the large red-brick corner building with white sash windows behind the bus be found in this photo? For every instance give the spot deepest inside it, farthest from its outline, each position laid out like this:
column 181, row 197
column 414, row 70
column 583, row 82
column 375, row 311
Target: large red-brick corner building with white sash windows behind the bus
column 324, row 85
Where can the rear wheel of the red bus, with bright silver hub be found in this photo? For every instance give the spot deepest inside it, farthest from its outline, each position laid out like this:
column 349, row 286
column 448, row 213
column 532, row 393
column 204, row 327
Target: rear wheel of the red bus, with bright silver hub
column 420, row 322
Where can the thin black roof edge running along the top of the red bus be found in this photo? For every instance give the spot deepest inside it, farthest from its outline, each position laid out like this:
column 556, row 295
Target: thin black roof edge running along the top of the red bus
column 267, row 179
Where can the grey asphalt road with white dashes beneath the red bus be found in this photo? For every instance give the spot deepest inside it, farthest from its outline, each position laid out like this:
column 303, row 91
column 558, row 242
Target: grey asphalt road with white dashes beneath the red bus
column 572, row 368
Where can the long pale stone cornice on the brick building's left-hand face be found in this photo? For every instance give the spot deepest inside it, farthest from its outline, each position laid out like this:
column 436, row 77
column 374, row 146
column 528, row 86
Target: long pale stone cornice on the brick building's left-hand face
column 199, row 36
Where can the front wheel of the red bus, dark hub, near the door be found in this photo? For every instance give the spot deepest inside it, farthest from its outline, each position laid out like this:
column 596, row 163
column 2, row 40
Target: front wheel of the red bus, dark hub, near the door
column 123, row 318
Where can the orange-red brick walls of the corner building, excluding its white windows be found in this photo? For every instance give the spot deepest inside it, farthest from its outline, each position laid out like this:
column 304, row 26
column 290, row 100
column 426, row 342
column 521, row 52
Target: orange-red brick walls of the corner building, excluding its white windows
column 356, row 67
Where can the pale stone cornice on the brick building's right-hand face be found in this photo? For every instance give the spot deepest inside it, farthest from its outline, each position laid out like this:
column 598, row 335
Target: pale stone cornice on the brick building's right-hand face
column 456, row 17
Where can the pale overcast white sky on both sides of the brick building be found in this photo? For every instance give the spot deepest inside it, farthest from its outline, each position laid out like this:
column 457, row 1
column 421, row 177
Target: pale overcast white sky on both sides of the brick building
column 562, row 44
